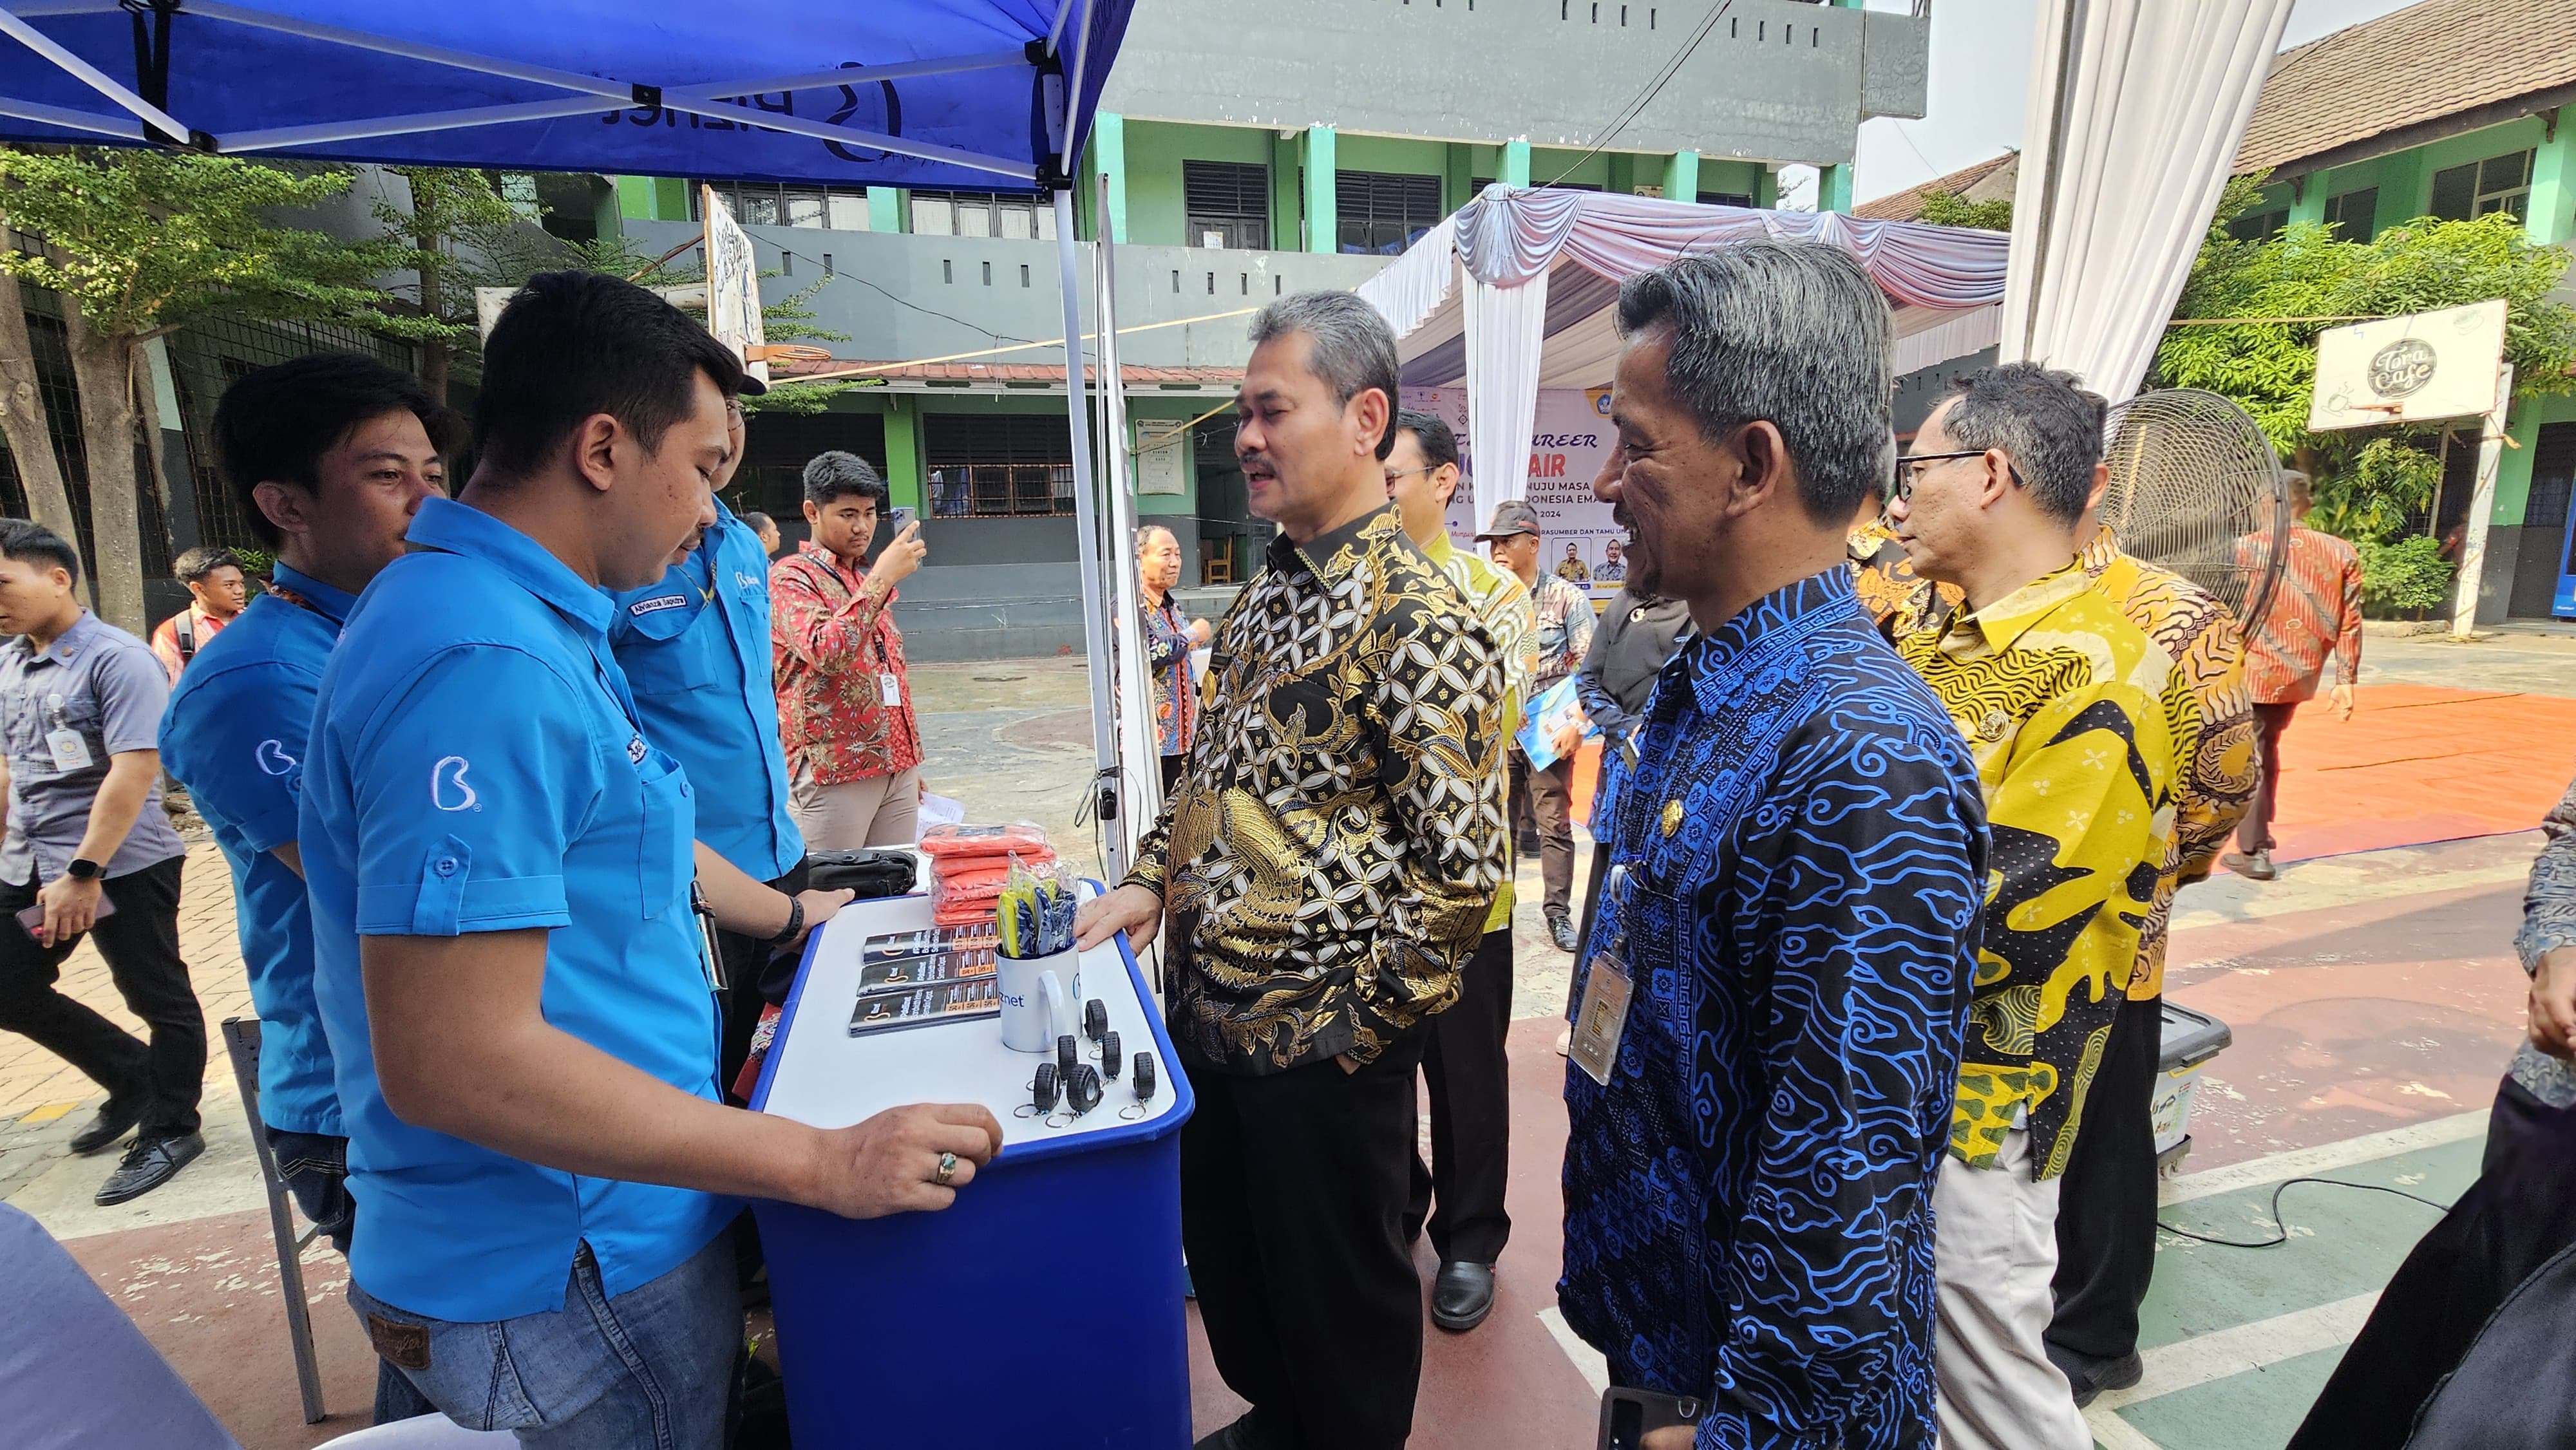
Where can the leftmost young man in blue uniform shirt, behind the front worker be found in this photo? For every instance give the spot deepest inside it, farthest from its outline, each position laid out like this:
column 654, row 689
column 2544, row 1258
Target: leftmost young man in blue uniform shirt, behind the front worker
column 328, row 457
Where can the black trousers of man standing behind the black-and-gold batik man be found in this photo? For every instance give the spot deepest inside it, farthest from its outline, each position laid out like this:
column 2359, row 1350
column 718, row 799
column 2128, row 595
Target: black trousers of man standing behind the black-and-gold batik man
column 1472, row 1114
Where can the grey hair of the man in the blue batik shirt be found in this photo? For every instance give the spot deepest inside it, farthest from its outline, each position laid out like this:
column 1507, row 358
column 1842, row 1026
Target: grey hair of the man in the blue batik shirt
column 1781, row 334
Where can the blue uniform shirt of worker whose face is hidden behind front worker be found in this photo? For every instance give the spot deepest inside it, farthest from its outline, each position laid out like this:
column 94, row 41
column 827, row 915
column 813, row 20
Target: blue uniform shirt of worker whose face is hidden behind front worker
column 697, row 653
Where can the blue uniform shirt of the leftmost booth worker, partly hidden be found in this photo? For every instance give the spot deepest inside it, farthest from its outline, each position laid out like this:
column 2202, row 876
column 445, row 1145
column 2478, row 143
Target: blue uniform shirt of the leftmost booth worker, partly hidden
column 236, row 738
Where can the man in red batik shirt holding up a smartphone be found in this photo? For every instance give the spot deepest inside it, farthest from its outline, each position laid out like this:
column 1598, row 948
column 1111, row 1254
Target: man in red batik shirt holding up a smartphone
column 844, row 702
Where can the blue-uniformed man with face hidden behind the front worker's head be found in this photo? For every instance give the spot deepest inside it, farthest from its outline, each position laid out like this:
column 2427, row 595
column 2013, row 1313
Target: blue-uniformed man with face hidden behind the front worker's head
column 697, row 655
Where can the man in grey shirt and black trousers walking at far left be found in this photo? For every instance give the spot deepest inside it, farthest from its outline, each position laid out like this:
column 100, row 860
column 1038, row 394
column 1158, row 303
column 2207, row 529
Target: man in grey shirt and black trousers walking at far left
column 91, row 851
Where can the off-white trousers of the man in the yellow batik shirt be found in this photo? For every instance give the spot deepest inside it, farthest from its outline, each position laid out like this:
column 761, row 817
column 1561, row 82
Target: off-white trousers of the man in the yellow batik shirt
column 1995, row 1253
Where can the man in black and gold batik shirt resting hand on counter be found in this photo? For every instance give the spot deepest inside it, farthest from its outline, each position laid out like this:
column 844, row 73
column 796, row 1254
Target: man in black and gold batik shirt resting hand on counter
column 1323, row 869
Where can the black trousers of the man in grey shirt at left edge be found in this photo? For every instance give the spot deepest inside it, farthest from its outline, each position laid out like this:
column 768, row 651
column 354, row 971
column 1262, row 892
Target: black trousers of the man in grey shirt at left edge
column 140, row 944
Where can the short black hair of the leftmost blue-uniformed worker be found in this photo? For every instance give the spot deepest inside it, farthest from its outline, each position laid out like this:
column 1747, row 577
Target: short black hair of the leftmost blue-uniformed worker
column 274, row 424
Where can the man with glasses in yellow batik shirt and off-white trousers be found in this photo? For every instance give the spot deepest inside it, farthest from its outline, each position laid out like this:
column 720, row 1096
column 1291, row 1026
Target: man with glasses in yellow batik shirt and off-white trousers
column 2062, row 702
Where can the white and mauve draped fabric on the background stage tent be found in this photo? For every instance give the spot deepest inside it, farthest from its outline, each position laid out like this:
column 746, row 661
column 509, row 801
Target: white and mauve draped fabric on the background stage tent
column 1516, row 295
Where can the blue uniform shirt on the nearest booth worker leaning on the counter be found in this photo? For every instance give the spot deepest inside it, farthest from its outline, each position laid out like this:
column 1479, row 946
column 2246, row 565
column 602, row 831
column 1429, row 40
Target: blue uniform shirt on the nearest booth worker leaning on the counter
column 480, row 771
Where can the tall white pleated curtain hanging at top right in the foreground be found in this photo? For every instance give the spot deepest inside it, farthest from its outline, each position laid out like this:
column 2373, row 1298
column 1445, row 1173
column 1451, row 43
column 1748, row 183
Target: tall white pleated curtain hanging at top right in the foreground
column 2137, row 109
